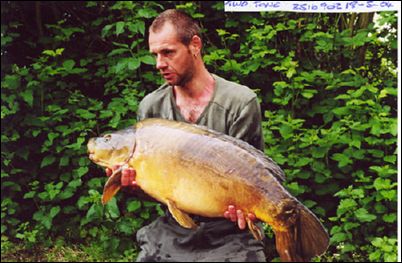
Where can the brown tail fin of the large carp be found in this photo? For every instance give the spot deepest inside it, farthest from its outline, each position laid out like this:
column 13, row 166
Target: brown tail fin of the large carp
column 303, row 240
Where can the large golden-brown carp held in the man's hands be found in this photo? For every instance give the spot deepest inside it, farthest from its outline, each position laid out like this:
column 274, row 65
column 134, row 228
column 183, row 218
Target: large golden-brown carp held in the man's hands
column 195, row 170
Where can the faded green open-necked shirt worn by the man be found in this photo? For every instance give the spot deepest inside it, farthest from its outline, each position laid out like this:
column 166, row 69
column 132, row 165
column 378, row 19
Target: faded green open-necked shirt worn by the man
column 233, row 110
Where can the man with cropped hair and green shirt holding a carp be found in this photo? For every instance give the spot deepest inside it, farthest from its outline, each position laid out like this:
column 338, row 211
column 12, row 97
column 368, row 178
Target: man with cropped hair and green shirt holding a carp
column 191, row 94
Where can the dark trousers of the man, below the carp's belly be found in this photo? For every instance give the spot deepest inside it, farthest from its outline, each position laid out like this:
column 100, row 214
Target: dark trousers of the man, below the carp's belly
column 215, row 240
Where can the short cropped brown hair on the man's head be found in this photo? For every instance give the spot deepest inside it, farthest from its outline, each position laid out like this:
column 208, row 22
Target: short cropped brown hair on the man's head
column 186, row 27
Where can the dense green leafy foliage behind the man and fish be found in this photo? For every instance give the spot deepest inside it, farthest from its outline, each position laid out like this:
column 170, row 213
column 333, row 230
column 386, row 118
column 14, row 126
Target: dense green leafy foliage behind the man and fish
column 326, row 82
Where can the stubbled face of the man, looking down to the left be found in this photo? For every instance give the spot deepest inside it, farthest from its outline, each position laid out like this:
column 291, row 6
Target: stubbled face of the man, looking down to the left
column 173, row 58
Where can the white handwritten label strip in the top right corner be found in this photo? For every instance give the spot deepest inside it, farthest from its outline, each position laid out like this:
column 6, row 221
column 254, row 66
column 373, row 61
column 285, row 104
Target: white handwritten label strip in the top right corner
column 312, row 6
